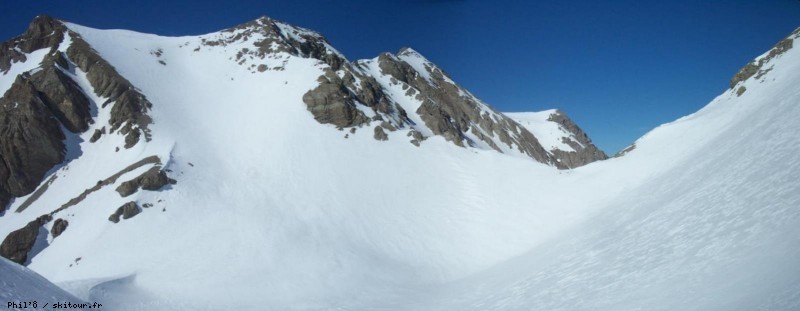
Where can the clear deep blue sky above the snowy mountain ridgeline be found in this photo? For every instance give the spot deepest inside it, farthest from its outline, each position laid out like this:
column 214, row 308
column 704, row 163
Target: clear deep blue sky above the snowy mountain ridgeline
column 618, row 68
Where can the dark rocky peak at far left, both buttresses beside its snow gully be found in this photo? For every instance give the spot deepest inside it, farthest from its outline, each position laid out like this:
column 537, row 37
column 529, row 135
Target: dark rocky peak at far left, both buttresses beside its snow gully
column 32, row 110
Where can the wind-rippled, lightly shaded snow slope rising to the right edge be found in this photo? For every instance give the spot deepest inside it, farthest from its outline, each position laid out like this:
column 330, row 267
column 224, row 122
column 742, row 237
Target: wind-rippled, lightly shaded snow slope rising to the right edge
column 713, row 227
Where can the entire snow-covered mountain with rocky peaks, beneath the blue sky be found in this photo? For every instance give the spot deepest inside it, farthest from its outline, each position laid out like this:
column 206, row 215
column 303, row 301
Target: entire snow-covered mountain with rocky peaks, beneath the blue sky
column 257, row 168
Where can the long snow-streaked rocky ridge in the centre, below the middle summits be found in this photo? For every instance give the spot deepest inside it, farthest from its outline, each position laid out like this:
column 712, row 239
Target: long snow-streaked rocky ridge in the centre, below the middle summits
column 358, row 94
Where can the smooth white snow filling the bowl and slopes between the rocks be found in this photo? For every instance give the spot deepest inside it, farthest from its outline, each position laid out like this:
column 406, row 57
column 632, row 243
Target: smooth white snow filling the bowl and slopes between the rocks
column 274, row 211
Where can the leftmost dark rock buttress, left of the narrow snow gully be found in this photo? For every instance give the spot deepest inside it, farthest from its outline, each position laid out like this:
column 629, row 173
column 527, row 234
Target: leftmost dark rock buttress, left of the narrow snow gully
column 30, row 111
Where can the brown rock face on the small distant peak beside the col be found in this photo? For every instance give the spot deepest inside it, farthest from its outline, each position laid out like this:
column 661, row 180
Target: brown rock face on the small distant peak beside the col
column 585, row 151
